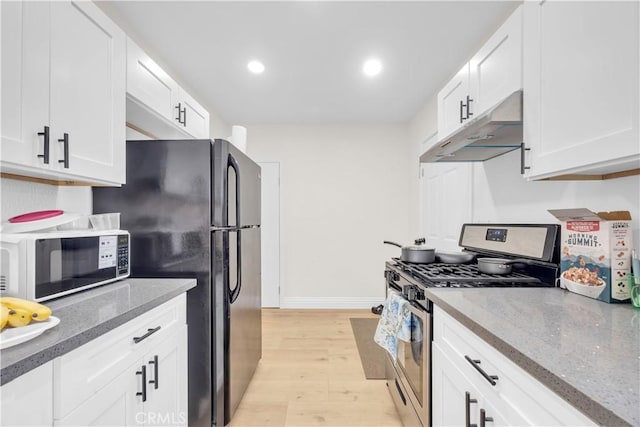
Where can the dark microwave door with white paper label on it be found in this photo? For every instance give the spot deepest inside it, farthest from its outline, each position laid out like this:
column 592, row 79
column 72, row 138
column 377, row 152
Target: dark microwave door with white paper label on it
column 70, row 263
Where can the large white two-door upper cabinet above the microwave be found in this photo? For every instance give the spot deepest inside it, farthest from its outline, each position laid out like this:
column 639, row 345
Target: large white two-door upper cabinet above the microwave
column 63, row 73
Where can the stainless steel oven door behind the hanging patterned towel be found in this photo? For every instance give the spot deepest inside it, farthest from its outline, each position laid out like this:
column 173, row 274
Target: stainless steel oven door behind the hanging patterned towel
column 414, row 362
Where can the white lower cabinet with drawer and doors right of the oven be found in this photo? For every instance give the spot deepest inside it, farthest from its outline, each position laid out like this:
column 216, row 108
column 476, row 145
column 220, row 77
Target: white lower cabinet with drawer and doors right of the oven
column 516, row 398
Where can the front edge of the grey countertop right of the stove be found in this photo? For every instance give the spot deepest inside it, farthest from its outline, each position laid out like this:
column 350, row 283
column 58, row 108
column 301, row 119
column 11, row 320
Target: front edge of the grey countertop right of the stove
column 578, row 399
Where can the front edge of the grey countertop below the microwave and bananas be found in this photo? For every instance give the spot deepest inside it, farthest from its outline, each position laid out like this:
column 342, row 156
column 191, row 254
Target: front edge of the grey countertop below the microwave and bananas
column 22, row 366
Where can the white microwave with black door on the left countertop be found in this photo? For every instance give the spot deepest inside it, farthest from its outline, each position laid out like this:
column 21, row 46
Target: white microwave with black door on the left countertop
column 43, row 266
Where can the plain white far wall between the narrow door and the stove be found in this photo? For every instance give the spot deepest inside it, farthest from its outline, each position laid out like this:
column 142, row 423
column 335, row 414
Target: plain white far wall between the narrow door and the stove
column 343, row 191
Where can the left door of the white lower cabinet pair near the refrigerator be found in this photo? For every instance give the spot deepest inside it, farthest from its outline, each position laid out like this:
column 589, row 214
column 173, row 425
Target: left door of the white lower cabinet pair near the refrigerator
column 114, row 405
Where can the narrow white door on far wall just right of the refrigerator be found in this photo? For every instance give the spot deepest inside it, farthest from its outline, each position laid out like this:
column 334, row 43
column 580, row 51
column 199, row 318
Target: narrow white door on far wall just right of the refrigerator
column 270, row 234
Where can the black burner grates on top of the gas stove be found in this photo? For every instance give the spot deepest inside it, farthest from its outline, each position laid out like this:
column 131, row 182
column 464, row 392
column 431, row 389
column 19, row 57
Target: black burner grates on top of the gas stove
column 462, row 275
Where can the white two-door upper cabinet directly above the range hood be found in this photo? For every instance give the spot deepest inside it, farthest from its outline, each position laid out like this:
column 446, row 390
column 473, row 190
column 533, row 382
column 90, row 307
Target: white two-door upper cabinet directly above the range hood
column 493, row 73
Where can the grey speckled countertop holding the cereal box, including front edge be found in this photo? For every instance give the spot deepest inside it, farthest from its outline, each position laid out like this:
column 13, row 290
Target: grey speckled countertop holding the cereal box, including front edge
column 585, row 350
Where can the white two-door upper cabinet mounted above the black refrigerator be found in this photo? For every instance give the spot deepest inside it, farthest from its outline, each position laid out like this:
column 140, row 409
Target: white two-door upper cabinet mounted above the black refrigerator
column 156, row 104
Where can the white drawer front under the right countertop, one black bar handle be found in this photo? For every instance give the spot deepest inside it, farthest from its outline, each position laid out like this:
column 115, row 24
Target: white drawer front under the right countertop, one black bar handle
column 525, row 401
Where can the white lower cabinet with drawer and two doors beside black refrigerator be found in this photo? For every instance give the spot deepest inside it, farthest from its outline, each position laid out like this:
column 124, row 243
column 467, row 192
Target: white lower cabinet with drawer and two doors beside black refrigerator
column 133, row 375
